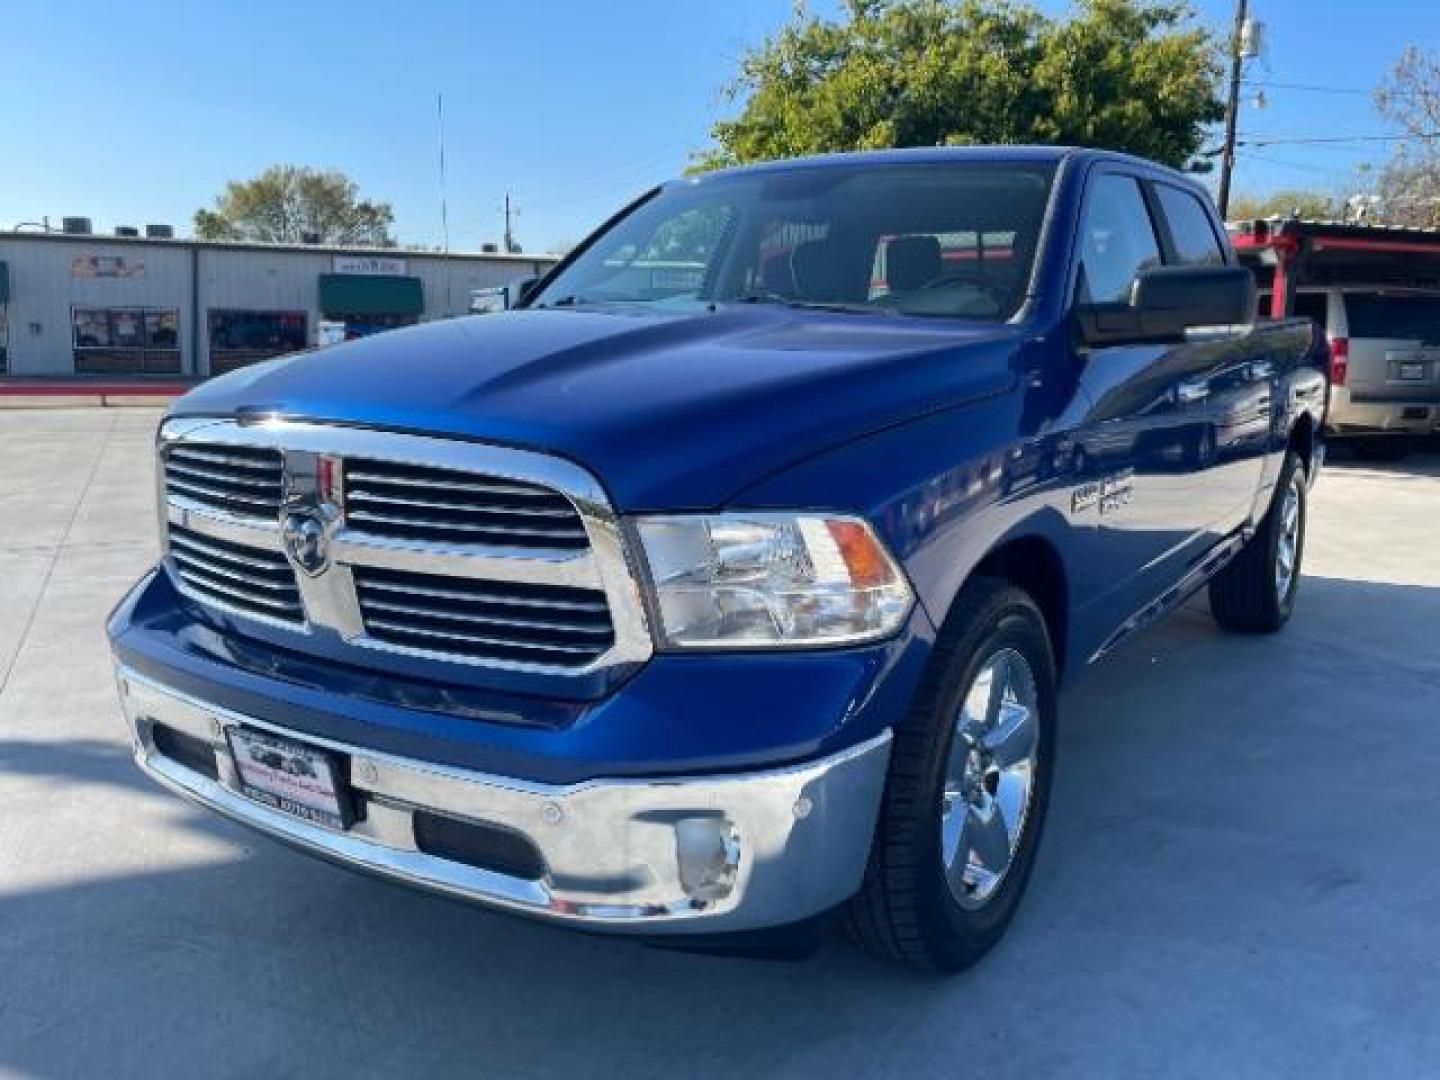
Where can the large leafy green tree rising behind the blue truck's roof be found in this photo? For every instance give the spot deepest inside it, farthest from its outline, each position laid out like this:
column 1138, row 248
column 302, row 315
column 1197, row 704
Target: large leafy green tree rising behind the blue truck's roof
column 1122, row 74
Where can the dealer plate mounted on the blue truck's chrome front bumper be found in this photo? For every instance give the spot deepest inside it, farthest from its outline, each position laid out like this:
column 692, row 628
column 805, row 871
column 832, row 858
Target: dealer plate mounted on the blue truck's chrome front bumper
column 290, row 777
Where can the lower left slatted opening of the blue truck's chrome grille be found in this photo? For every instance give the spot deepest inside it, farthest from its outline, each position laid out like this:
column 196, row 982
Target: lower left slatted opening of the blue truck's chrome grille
column 256, row 581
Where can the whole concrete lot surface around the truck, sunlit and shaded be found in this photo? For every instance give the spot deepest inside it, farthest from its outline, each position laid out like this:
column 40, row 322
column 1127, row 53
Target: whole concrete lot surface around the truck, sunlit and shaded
column 1239, row 876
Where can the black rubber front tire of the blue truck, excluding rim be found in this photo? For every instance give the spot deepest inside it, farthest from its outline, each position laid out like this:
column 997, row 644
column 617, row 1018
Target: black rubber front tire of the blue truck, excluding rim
column 906, row 911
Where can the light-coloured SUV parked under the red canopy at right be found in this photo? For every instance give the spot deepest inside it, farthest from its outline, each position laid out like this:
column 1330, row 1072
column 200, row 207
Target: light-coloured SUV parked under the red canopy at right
column 1386, row 374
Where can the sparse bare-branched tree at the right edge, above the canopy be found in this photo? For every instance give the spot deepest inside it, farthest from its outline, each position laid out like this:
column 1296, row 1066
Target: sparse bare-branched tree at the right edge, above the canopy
column 1409, row 185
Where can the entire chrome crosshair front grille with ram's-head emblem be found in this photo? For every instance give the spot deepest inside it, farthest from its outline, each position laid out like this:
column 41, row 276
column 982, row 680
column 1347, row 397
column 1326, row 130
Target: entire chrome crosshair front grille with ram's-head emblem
column 400, row 544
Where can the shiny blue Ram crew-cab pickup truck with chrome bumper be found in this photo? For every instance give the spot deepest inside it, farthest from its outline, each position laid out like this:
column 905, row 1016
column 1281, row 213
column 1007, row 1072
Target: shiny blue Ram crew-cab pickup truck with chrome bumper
column 726, row 588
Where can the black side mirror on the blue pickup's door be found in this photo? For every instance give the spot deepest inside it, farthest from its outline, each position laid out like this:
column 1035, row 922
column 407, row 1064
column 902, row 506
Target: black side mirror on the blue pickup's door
column 1170, row 300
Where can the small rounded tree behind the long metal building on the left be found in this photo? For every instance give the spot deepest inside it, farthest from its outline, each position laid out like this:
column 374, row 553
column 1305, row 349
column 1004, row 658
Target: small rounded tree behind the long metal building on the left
column 290, row 205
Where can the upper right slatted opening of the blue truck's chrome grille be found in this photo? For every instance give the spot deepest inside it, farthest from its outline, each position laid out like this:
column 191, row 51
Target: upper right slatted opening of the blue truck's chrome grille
column 457, row 508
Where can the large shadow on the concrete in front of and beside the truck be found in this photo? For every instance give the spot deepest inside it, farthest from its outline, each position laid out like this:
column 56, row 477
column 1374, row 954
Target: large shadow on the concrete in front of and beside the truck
column 1199, row 869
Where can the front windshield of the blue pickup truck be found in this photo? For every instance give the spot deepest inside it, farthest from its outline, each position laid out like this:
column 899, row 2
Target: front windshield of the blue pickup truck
column 931, row 240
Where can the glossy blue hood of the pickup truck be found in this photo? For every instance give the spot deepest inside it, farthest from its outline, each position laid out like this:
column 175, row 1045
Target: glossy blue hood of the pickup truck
column 669, row 411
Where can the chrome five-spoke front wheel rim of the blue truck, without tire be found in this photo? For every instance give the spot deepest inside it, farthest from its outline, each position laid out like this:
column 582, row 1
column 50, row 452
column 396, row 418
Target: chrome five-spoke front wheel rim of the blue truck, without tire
column 990, row 778
